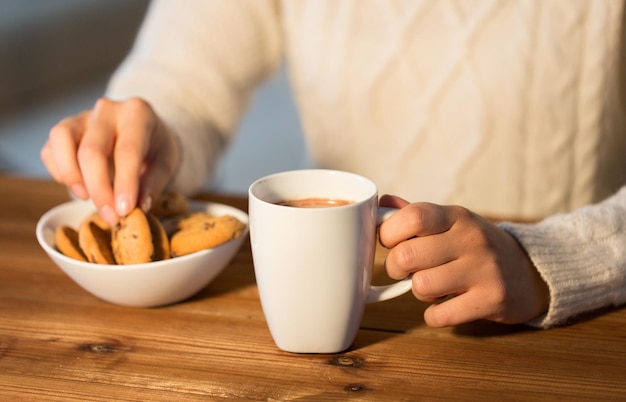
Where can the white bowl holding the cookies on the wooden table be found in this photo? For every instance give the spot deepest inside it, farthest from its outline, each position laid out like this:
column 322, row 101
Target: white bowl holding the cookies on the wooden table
column 140, row 285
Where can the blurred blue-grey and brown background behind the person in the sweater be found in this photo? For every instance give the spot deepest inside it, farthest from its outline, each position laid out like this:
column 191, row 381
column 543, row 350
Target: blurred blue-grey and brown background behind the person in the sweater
column 55, row 59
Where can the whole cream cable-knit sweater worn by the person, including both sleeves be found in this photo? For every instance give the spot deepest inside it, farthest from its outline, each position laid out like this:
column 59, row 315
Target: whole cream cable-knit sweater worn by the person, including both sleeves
column 510, row 108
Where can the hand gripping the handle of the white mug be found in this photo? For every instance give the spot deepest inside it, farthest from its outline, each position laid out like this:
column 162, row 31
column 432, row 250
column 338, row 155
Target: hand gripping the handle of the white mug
column 468, row 267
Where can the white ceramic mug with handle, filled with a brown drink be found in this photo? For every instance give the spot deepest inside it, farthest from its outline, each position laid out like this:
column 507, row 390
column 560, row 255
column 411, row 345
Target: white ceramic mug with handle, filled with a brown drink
column 313, row 266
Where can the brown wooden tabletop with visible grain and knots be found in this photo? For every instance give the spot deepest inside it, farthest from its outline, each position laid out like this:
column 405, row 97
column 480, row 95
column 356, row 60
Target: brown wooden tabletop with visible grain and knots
column 57, row 342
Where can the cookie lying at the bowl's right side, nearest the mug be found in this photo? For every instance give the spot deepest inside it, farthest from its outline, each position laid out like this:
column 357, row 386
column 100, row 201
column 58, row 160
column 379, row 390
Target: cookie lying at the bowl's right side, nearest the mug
column 206, row 232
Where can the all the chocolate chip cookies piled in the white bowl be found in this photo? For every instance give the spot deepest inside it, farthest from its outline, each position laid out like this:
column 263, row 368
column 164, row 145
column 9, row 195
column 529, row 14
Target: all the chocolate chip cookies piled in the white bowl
column 167, row 230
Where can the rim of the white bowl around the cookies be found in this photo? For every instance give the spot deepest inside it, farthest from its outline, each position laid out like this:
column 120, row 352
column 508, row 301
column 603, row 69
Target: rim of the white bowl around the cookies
column 195, row 206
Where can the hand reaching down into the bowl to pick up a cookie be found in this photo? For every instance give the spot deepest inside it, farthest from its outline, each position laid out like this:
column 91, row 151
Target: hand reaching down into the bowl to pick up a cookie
column 119, row 154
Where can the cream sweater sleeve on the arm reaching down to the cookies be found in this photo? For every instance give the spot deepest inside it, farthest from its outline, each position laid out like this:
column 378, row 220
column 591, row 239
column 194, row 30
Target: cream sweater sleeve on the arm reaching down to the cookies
column 197, row 63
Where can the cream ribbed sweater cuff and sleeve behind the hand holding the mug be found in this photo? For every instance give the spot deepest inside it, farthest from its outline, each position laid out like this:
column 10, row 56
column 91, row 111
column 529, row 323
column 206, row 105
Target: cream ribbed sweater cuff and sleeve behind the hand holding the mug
column 581, row 256
